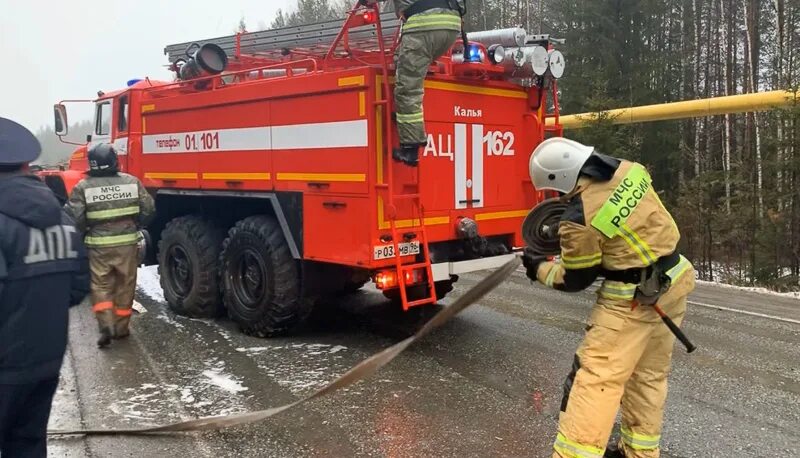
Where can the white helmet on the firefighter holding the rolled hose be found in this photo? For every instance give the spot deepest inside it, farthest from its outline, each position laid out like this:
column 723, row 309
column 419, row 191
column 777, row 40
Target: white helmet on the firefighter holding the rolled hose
column 556, row 164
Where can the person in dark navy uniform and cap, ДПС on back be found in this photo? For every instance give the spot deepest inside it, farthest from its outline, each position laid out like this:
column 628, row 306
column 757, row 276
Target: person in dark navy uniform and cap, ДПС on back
column 43, row 271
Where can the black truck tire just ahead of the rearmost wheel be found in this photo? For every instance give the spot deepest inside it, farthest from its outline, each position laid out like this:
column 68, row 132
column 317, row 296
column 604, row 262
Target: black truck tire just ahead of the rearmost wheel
column 188, row 257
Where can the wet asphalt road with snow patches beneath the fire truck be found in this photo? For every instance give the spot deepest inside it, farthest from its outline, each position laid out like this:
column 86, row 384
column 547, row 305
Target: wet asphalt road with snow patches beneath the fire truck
column 487, row 384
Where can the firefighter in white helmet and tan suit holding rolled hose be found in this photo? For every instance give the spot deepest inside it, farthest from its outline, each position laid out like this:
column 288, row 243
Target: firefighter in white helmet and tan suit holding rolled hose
column 614, row 227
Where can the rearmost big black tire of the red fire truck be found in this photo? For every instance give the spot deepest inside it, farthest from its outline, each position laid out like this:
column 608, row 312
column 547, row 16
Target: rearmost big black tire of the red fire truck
column 261, row 279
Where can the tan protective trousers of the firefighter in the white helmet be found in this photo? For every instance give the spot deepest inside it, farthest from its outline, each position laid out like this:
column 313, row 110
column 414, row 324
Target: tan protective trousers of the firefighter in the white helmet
column 624, row 359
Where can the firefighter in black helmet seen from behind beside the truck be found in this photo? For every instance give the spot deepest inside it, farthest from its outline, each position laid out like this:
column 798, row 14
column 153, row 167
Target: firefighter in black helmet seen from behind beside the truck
column 111, row 207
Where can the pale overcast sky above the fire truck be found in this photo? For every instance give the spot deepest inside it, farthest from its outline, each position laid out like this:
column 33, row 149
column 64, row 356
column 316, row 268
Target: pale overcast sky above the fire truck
column 53, row 50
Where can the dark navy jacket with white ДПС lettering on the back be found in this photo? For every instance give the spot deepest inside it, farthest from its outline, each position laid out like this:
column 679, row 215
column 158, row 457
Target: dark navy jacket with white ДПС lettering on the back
column 43, row 271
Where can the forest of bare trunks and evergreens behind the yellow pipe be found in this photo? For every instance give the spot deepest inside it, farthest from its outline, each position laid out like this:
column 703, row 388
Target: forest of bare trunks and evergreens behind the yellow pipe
column 731, row 181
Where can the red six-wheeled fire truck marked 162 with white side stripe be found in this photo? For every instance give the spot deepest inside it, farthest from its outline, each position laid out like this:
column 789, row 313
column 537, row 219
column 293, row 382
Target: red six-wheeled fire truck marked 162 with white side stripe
column 269, row 157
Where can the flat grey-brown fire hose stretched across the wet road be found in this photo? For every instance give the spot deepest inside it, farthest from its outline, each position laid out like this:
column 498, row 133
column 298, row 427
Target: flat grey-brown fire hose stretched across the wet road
column 360, row 371
